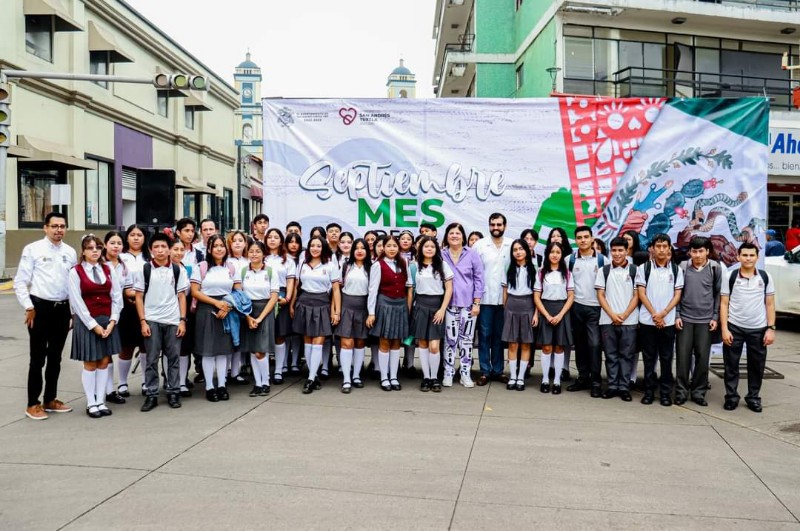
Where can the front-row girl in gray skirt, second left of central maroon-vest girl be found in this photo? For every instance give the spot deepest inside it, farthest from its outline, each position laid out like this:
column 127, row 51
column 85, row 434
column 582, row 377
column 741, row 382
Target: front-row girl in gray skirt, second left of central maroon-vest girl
column 315, row 308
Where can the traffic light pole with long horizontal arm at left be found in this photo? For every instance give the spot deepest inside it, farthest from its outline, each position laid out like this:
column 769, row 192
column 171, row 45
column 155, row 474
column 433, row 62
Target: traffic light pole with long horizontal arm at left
column 166, row 82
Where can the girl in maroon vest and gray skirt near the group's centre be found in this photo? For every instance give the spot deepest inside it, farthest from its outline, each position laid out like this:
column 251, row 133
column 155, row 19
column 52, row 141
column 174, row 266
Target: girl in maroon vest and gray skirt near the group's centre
column 389, row 303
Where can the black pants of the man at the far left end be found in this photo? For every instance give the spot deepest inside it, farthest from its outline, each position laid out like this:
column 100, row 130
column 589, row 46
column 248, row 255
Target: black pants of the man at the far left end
column 47, row 338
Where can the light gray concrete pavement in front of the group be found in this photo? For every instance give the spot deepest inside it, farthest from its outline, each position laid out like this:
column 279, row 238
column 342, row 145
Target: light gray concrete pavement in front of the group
column 462, row 459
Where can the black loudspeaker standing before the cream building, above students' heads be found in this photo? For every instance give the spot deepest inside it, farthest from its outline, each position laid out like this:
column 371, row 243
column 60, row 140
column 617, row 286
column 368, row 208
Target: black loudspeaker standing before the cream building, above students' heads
column 155, row 197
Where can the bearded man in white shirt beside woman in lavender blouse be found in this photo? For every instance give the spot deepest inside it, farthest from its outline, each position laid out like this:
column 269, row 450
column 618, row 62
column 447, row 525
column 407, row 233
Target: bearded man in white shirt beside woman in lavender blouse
column 495, row 253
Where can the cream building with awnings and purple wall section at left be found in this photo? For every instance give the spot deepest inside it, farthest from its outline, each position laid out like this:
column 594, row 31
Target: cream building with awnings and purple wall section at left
column 100, row 138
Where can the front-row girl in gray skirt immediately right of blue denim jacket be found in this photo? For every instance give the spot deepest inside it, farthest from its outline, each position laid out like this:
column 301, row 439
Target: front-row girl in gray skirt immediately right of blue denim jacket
column 260, row 283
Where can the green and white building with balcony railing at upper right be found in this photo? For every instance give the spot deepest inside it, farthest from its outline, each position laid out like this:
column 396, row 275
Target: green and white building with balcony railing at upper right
column 621, row 48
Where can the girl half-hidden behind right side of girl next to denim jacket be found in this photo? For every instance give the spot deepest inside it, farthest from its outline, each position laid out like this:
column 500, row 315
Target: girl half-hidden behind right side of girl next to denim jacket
column 286, row 269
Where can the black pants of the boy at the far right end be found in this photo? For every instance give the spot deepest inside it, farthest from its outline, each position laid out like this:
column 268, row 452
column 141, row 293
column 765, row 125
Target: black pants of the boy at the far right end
column 756, row 361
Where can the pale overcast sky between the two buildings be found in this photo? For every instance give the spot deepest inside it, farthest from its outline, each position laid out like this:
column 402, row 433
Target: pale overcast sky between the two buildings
column 322, row 48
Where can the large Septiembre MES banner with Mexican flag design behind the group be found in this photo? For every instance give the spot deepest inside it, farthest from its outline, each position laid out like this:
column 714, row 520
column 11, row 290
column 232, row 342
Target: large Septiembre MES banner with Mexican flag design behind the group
column 392, row 164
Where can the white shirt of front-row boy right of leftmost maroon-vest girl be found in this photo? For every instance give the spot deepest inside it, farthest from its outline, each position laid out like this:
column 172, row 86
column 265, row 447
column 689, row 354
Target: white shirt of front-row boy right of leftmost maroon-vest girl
column 161, row 301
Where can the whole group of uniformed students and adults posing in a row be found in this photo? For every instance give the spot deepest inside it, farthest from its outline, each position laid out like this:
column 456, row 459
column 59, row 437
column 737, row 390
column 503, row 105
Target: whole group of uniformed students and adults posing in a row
column 190, row 291
